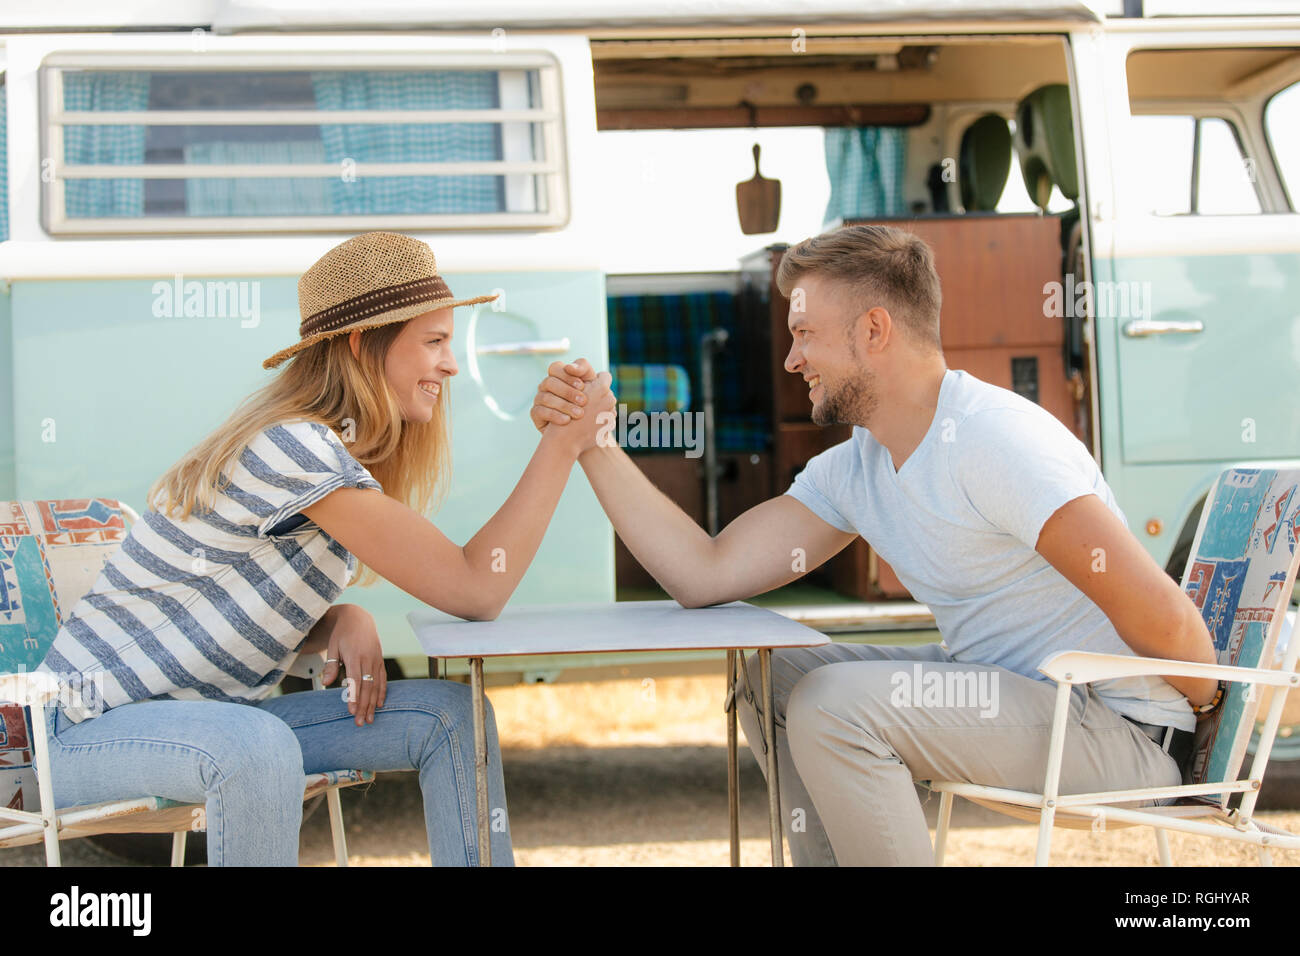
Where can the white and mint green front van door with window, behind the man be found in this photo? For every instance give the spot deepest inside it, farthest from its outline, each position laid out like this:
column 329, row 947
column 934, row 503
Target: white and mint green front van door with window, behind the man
column 1195, row 258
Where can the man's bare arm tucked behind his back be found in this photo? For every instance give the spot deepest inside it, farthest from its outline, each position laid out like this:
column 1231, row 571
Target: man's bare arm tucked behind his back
column 1095, row 552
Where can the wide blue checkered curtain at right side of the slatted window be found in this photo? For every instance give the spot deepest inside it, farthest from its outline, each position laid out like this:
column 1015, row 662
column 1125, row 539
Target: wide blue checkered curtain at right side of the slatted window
column 411, row 144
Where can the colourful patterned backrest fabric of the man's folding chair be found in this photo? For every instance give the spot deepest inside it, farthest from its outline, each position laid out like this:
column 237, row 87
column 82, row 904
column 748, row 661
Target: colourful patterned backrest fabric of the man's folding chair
column 1240, row 577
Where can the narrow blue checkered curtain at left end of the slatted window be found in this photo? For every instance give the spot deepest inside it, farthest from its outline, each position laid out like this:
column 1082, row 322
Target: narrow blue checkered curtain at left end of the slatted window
column 105, row 145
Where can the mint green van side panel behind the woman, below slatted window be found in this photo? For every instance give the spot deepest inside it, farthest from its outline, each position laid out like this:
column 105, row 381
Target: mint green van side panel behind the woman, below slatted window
column 107, row 396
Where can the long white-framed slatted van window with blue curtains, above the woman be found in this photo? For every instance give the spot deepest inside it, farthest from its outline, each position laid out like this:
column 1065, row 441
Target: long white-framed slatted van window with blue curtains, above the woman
column 159, row 148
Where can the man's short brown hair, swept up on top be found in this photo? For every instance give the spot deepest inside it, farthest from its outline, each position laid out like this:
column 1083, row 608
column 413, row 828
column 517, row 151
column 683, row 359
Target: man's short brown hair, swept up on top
column 877, row 266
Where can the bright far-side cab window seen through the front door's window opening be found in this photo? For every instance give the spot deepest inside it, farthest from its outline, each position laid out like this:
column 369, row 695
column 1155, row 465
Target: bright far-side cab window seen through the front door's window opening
column 1193, row 166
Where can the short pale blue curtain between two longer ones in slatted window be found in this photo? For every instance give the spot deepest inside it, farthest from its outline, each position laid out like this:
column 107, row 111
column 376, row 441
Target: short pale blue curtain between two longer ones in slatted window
column 297, row 197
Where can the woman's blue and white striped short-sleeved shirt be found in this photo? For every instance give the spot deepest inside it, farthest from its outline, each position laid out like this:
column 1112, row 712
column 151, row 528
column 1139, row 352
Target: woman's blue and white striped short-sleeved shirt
column 216, row 607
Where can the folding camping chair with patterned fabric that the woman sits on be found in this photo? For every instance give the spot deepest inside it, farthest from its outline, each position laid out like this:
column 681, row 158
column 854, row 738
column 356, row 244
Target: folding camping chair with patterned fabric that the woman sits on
column 51, row 553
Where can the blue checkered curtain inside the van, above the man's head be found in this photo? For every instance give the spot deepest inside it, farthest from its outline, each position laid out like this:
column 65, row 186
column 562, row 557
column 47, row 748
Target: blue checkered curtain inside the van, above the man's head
column 866, row 168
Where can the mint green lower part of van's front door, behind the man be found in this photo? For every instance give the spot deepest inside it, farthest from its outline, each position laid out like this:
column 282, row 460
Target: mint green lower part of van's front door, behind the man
column 1178, row 410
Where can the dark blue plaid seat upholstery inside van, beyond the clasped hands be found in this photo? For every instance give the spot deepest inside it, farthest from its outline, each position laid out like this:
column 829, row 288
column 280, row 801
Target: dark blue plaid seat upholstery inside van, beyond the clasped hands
column 666, row 330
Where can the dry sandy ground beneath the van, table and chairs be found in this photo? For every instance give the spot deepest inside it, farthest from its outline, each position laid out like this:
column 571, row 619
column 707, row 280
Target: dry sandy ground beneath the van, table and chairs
column 634, row 773
